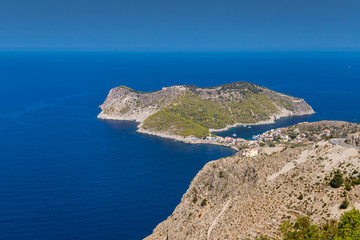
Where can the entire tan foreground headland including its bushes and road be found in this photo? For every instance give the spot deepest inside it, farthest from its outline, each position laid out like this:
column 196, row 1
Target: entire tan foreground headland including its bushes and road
column 284, row 192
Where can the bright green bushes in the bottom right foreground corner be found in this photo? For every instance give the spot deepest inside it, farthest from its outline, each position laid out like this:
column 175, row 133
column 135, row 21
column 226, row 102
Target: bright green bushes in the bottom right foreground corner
column 347, row 228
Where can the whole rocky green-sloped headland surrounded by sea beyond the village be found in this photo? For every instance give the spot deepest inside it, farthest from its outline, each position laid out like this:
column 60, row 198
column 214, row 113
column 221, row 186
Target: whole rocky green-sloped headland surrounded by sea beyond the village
column 190, row 110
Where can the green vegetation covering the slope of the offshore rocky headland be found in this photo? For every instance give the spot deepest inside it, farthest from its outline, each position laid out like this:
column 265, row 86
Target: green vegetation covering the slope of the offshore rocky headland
column 191, row 115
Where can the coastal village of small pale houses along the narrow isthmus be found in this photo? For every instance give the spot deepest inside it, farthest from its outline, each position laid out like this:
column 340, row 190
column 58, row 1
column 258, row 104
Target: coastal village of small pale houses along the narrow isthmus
column 274, row 138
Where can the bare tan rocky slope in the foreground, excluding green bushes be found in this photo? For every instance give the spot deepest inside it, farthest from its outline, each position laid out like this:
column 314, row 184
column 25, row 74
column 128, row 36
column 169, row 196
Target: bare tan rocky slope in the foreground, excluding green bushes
column 239, row 198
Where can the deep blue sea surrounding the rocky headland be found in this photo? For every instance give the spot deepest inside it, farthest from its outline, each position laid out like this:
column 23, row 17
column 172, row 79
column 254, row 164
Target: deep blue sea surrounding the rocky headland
column 64, row 174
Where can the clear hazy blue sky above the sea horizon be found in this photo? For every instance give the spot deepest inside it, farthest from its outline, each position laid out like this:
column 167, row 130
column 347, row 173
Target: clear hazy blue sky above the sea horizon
column 186, row 25
